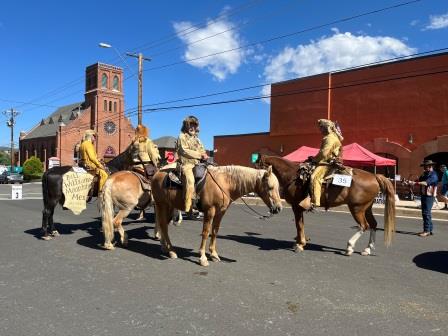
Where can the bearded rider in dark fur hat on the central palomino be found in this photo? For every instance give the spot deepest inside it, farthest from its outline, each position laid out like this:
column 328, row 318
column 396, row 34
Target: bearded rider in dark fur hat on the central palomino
column 190, row 151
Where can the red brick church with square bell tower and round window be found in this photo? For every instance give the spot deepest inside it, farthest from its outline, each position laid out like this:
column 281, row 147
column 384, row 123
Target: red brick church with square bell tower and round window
column 102, row 110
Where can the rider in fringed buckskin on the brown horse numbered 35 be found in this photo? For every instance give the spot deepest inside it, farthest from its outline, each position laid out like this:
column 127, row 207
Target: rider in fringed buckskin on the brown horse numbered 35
column 330, row 149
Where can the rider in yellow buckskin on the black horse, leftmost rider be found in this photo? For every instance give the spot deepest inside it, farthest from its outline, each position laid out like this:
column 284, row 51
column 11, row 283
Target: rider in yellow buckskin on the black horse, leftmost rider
column 89, row 160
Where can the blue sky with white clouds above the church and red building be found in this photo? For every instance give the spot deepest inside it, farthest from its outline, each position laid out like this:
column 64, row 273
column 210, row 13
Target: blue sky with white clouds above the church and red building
column 46, row 45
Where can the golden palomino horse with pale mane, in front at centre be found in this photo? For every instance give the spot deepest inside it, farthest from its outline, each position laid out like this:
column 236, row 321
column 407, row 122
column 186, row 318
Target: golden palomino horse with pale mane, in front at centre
column 223, row 185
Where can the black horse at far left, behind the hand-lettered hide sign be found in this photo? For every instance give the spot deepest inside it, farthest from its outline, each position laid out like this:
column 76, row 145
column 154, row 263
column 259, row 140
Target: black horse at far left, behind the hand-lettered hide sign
column 52, row 190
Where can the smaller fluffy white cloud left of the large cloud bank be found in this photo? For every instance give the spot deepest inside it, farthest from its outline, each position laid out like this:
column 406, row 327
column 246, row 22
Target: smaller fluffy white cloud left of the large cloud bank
column 221, row 65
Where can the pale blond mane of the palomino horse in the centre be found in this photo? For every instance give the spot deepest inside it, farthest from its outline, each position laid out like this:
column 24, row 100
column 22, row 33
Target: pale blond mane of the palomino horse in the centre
column 243, row 179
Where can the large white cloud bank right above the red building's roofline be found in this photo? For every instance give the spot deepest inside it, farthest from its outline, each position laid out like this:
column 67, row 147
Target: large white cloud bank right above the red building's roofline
column 339, row 51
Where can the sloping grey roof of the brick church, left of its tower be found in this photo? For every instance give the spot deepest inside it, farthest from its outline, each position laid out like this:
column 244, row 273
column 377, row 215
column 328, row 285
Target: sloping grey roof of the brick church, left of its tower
column 50, row 125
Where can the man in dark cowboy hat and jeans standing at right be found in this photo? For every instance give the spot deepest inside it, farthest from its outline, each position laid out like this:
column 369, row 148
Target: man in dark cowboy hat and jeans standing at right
column 428, row 189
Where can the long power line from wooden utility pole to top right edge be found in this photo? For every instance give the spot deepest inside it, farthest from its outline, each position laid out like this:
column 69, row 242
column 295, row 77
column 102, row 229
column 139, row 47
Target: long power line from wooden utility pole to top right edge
column 275, row 38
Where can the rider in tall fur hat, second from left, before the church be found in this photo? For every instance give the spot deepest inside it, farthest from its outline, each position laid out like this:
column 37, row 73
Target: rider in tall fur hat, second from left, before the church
column 144, row 153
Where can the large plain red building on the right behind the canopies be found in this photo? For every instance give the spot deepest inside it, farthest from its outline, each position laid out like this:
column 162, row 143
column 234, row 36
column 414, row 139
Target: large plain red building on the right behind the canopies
column 398, row 110
